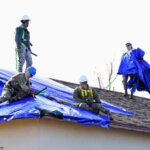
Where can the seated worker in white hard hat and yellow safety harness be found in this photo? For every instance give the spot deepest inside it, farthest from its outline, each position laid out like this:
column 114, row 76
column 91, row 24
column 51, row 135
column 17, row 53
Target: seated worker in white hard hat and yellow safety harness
column 88, row 99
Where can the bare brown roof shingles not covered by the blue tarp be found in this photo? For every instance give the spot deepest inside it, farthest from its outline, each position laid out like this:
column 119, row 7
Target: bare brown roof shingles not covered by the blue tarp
column 139, row 106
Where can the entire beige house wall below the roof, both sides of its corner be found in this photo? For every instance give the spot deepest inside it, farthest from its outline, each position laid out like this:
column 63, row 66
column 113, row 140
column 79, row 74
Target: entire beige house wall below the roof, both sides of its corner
column 46, row 134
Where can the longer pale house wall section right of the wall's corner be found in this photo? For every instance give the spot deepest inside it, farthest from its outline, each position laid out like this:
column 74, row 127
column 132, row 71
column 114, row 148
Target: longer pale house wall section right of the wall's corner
column 59, row 135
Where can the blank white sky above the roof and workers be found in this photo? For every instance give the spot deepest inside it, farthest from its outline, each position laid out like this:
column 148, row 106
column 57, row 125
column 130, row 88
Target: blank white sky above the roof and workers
column 75, row 37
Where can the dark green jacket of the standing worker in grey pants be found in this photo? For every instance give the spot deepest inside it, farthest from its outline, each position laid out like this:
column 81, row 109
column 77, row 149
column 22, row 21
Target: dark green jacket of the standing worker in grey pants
column 22, row 37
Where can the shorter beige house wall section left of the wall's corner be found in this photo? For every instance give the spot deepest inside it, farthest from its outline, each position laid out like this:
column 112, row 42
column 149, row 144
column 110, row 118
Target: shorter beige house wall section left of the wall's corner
column 19, row 135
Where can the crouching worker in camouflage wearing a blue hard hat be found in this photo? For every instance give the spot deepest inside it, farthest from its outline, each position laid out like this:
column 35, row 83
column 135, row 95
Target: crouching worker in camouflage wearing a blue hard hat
column 18, row 86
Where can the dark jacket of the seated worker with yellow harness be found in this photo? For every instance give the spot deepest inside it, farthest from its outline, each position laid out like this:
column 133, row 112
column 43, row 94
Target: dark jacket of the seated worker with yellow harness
column 77, row 95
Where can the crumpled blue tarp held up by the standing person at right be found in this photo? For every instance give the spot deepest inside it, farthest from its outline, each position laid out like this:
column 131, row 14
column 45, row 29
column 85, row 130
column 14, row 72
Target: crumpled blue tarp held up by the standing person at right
column 132, row 63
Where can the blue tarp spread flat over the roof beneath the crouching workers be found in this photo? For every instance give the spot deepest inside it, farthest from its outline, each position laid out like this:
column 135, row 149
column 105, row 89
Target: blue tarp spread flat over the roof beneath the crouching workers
column 30, row 107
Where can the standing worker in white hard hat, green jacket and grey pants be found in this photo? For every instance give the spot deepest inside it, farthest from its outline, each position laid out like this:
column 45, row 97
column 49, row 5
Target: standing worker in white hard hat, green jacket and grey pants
column 23, row 44
